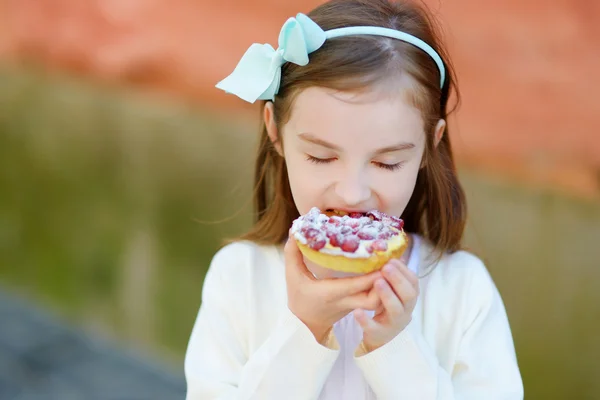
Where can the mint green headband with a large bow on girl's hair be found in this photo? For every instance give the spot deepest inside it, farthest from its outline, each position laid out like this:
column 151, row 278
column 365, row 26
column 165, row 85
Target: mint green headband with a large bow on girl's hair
column 258, row 74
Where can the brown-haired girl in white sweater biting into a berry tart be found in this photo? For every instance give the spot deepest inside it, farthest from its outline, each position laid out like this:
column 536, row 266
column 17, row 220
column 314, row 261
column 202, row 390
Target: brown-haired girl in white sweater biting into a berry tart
column 355, row 103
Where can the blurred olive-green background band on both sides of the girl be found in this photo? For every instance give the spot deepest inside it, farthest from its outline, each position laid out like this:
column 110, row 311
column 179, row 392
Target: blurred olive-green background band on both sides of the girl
column 101, row 191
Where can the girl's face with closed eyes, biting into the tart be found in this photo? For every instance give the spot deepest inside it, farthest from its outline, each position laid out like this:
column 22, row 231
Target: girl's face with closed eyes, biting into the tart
column 353, row 152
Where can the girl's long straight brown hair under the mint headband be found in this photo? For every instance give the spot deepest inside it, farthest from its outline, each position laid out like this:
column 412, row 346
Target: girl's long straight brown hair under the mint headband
column 437, row 208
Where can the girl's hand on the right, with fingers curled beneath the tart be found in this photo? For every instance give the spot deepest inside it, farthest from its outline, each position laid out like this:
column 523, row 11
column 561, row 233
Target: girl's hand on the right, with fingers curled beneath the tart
column 398, row 291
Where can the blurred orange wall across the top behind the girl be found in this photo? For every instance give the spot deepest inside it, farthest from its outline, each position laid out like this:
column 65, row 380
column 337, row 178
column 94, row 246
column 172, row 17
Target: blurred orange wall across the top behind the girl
column 527, row 68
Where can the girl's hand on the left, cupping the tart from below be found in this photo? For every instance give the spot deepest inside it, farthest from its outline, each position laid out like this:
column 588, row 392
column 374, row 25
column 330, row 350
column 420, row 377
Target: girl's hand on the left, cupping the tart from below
column 319, row 303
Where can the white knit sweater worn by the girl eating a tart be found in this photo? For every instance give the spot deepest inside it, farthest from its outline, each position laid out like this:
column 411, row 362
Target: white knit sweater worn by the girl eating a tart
column 246, row 344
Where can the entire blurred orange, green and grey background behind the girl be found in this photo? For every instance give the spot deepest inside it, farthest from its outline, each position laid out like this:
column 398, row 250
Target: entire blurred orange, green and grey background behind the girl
column 122, row 169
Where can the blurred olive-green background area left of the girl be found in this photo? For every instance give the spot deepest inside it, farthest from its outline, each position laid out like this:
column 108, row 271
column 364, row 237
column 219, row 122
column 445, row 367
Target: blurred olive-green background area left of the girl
column 95, row 182
